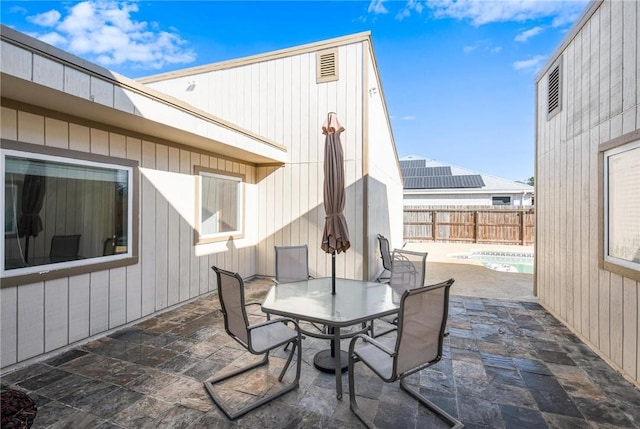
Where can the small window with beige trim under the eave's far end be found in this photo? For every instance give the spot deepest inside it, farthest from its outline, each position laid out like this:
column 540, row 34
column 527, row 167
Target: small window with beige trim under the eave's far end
column 221, row 206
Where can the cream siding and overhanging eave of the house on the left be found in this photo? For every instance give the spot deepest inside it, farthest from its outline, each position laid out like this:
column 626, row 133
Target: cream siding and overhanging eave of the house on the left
column 51, row 99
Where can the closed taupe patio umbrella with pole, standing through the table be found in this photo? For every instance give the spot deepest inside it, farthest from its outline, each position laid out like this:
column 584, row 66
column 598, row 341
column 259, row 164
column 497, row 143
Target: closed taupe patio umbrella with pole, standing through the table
column 335, row 238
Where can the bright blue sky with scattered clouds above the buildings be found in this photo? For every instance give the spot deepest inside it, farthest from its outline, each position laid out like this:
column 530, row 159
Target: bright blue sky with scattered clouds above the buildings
column 458, row 75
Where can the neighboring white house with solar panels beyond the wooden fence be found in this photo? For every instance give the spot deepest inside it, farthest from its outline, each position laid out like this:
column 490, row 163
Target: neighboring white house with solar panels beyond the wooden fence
column 432, row 183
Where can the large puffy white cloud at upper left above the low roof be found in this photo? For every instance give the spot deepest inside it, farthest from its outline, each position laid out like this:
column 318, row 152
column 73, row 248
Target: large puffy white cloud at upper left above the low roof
column 105, row 32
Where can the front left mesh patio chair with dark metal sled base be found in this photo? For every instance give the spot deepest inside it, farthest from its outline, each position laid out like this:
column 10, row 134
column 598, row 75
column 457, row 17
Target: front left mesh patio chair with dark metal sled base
column 258, row 339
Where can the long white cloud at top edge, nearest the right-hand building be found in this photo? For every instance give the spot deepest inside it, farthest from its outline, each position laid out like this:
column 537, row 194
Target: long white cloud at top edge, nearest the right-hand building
column 481, row 12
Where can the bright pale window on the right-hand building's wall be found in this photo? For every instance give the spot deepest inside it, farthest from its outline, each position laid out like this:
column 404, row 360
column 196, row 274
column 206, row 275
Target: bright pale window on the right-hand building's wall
column 621, row 207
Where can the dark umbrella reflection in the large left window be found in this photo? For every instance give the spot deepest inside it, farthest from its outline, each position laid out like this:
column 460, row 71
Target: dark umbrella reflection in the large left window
column 30, row 224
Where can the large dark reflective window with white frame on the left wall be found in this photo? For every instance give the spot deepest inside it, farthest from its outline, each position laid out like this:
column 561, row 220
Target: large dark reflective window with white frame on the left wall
column 62, row 213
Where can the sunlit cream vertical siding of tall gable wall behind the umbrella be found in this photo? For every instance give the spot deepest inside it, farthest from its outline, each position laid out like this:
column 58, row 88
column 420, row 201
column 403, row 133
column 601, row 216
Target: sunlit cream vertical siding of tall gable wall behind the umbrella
column 280, row 100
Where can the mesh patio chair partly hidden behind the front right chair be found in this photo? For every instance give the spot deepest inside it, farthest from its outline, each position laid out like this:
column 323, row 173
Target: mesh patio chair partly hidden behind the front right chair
column 408, row 270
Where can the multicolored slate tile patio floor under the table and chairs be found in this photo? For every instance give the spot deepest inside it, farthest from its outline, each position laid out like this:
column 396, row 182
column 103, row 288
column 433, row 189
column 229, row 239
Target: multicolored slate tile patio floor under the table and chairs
column 506, row 364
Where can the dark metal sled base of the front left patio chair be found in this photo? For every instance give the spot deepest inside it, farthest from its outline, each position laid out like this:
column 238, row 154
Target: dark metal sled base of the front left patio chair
column 209, row 384
